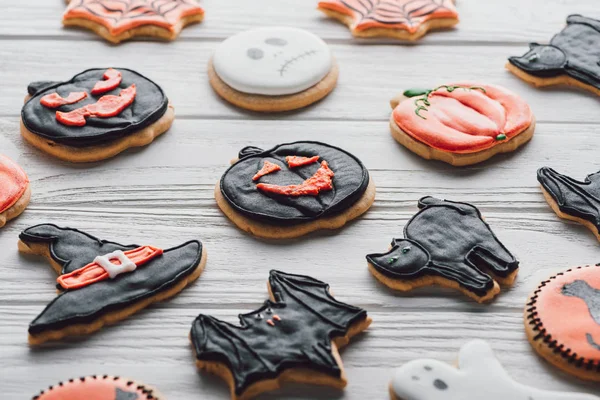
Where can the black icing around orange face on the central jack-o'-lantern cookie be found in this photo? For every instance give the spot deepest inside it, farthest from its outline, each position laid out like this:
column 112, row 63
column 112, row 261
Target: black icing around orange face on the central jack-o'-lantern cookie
column 350, row 182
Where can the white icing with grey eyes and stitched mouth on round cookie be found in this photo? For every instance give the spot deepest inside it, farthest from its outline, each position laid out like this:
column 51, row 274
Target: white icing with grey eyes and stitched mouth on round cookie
column 272, row 61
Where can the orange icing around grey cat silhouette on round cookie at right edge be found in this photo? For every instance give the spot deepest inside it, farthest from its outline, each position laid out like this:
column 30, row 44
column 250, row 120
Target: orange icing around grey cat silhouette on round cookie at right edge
column 567, row 319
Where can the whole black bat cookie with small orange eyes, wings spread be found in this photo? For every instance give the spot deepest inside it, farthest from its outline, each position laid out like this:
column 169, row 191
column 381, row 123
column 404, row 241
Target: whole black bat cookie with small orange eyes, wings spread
column 294, row 336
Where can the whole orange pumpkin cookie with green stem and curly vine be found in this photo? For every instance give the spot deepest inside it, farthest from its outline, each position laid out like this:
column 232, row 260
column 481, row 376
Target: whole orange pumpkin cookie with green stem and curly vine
column 461, row 124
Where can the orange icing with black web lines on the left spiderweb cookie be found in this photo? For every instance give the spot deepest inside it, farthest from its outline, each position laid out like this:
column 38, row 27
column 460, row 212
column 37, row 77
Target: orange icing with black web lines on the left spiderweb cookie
column 119, row 16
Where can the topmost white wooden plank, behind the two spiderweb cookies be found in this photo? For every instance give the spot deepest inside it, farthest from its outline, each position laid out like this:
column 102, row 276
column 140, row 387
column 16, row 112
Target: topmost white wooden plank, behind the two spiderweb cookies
column 508, row 21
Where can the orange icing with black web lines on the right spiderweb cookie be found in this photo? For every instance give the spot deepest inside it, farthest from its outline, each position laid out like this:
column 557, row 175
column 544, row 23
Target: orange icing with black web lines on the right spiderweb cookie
column 407, row 15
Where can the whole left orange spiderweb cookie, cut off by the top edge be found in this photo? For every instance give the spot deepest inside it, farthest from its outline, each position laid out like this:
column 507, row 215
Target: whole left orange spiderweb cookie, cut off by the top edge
column 120, row 20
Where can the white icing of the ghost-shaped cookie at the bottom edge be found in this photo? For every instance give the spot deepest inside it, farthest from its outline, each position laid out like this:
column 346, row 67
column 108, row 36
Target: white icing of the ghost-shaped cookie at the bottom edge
column 479, row 376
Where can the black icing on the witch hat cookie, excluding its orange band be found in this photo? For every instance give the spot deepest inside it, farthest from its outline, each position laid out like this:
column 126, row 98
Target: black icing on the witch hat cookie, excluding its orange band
column 73, row 249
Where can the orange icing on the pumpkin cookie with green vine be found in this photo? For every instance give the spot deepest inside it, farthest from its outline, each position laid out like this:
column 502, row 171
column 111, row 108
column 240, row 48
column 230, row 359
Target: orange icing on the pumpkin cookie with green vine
column 465, row 120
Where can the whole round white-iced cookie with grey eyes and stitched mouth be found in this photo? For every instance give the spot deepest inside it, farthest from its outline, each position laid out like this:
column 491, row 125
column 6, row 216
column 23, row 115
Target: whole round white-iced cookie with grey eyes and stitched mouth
column 273, row 69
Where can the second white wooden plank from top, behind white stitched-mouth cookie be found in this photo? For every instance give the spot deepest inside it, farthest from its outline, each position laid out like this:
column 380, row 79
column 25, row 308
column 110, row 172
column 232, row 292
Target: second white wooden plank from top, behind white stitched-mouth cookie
column 360, row 94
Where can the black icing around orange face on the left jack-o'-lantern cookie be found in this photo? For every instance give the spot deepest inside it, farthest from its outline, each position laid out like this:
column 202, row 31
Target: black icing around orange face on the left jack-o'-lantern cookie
column 150, row 104
